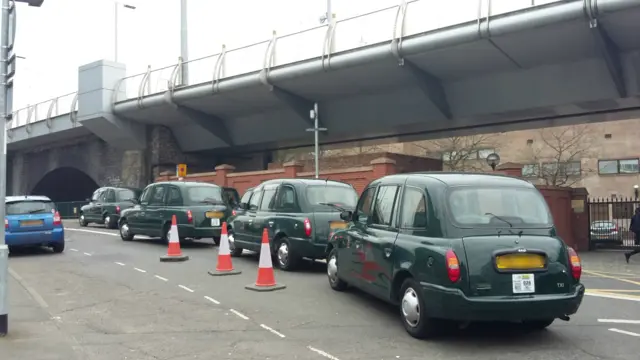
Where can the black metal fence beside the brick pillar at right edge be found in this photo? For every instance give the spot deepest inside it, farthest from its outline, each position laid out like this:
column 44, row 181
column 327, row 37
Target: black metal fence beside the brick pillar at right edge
column 609, row 222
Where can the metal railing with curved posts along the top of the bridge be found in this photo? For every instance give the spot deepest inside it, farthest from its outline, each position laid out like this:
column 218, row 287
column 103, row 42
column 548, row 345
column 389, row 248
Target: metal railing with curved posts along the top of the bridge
column 389, row 24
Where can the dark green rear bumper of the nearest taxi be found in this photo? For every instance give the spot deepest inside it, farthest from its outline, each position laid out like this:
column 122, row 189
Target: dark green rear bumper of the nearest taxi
column 452, row 304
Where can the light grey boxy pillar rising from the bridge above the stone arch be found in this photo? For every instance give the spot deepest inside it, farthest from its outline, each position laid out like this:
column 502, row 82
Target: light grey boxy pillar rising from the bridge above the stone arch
column 97, row 83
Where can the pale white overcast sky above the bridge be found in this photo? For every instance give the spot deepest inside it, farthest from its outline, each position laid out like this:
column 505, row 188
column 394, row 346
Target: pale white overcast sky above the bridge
column 64, row 34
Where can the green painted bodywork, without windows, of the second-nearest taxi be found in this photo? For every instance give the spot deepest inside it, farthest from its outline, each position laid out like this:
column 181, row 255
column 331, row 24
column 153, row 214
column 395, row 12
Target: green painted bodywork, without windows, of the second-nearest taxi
column 287, row 223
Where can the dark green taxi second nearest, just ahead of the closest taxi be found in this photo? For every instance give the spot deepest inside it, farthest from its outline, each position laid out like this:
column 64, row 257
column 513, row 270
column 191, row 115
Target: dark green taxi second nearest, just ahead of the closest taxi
column 299, row 214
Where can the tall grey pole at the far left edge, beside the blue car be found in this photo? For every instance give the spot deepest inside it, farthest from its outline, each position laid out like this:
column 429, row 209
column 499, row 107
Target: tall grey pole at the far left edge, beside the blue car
column 8, row 23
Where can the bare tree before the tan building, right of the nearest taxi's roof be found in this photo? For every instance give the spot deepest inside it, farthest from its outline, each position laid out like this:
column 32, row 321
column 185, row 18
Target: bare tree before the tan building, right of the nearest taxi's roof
column 556, row 156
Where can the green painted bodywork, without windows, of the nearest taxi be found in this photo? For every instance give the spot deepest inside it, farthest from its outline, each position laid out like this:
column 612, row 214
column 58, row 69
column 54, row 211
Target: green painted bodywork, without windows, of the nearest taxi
column 378, row 259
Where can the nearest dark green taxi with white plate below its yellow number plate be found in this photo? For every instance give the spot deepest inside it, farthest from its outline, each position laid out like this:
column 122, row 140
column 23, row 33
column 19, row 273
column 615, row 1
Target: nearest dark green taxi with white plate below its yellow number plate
column 453, row 248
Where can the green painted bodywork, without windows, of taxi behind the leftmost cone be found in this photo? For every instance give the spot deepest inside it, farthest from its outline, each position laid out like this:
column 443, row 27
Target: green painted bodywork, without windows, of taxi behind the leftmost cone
column 154, row 219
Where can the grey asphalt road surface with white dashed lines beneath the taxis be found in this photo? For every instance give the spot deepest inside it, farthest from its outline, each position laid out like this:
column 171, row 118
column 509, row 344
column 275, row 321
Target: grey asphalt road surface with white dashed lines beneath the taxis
column 108, row 299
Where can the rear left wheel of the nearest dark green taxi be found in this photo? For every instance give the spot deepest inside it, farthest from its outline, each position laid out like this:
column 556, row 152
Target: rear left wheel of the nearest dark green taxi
column 413, row 312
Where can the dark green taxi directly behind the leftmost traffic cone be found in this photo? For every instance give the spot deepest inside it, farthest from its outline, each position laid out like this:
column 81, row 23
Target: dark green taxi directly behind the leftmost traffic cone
column 200, row 209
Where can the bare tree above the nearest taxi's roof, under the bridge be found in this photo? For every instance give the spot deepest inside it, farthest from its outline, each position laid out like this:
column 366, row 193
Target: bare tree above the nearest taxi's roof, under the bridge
column 462, row 153
